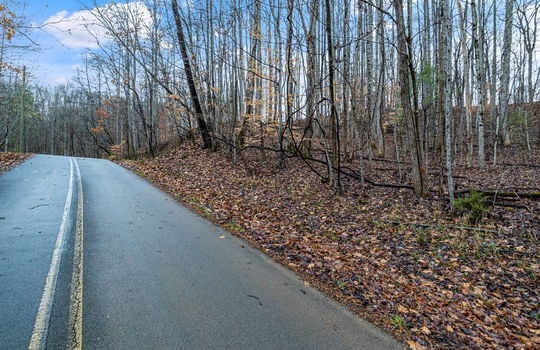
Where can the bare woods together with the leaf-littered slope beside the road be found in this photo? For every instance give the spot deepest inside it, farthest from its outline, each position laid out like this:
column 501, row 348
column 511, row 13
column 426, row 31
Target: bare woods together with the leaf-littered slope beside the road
column 386, row 151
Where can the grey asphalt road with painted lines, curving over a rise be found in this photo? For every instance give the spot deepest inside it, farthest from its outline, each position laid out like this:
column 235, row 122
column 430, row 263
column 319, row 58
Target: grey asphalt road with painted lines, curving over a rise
column 143, row 272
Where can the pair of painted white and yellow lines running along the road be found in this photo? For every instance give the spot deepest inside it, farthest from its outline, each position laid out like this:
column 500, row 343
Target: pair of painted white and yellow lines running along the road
column 38, row 339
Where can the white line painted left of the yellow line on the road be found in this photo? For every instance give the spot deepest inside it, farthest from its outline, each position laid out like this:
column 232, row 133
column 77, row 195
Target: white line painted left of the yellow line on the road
column 41, row 324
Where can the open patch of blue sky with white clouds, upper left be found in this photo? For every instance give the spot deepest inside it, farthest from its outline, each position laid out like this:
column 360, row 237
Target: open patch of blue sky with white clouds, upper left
column 63, row 43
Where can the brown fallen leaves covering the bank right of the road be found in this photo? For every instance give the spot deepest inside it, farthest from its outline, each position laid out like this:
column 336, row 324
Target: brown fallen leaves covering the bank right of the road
column 432, row 286
